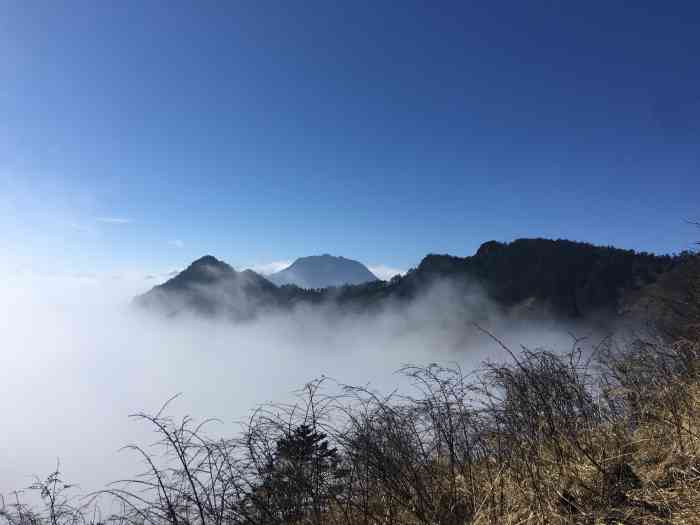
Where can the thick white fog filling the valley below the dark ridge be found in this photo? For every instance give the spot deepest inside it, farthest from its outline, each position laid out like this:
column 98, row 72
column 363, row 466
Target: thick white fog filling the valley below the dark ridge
column 77, row 360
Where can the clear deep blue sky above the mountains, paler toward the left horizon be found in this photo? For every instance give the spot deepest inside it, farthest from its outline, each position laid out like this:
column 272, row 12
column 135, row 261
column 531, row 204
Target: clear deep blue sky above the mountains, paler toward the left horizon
column 145, row 134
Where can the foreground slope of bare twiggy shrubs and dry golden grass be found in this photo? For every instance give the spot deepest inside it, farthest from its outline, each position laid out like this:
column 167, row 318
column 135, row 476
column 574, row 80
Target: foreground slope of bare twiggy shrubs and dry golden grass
column 608, row 437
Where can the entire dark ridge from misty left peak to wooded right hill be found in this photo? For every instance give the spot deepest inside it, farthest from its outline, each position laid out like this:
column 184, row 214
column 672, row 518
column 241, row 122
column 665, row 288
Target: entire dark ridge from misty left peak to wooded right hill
column 546, row 278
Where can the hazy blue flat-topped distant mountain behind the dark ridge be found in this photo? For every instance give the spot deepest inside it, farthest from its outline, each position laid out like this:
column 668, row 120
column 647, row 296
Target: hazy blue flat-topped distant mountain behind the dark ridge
column 323, row 271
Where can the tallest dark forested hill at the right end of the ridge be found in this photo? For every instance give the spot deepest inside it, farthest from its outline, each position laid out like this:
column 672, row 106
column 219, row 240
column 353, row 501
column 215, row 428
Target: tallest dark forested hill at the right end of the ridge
column 570, row 278
